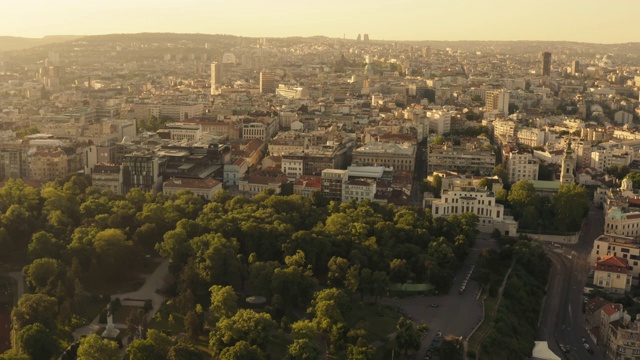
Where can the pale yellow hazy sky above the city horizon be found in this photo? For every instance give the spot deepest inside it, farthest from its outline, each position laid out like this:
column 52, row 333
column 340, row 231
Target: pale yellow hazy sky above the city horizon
column 601, row 21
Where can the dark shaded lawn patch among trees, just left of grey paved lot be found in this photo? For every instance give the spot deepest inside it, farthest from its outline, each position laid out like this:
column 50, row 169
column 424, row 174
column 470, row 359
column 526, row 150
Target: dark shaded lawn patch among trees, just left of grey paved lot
column 378, row 320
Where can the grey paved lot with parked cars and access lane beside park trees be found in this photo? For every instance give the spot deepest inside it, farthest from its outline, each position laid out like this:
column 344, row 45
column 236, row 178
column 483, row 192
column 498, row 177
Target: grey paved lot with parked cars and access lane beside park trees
column 456, row 314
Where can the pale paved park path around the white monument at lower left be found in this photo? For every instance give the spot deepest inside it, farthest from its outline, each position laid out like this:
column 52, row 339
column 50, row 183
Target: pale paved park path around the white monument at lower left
column 153, row 282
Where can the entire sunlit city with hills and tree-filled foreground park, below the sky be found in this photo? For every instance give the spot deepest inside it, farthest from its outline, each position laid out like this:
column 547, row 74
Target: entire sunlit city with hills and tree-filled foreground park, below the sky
column 193, row 196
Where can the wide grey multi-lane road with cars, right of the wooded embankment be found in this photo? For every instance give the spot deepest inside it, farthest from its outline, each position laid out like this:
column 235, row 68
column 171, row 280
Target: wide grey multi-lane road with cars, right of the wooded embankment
column 562, row 321
